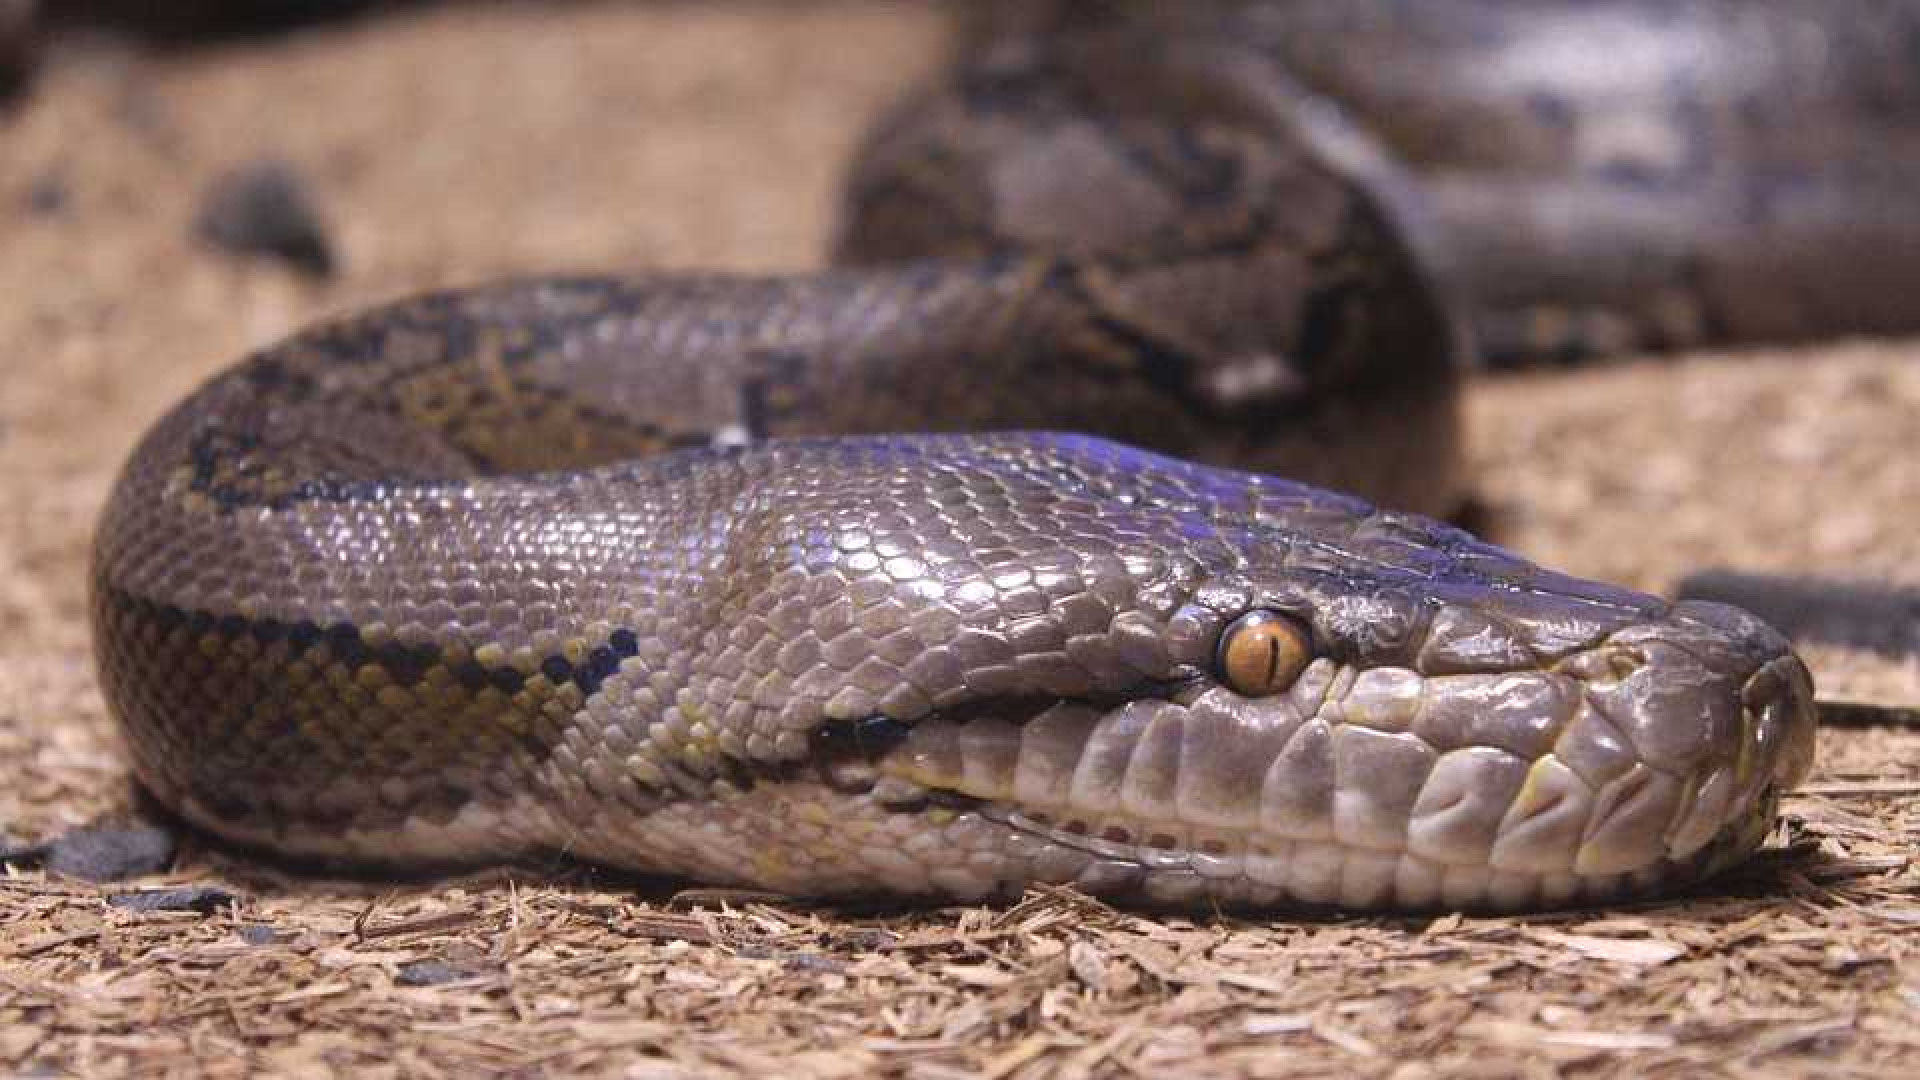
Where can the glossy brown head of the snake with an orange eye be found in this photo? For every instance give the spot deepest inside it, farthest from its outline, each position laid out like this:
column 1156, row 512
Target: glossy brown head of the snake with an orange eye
column 1061, row 660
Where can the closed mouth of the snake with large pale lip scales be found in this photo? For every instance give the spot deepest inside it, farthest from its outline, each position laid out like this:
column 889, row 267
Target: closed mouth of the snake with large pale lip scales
column 1393, row 791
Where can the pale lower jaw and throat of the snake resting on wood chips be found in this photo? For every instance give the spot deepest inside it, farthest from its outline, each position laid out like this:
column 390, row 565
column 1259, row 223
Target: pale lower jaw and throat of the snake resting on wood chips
column 807, row 837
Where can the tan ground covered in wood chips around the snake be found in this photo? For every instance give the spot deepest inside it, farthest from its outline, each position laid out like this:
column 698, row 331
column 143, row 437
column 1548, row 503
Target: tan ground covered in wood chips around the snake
column 469, row 143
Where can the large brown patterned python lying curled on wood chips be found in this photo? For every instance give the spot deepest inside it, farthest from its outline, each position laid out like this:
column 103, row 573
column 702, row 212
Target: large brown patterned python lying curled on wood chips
column 967, row 564
